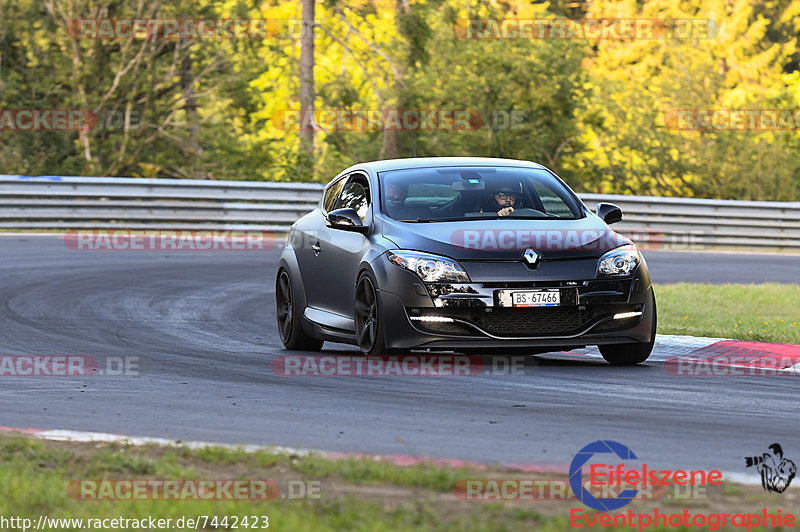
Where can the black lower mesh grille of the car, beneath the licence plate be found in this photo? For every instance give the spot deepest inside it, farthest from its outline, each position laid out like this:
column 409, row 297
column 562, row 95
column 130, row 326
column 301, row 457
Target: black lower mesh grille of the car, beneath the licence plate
column 511, row 322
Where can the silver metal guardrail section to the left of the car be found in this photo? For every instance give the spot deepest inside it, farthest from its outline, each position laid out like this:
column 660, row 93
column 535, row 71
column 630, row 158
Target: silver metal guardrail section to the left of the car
column 56, row 202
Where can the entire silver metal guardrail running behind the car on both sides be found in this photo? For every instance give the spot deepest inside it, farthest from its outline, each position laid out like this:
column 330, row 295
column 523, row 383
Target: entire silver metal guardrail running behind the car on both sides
column 55, row 202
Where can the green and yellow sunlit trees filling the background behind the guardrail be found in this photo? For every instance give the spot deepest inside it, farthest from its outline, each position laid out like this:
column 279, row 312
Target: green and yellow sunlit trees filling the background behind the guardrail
column 595, row 111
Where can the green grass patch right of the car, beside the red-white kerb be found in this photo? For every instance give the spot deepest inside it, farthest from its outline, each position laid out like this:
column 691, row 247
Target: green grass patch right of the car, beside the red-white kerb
column 763, row 312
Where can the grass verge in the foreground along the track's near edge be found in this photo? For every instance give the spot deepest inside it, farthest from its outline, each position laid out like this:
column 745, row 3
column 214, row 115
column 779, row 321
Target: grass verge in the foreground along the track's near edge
column 358, row 494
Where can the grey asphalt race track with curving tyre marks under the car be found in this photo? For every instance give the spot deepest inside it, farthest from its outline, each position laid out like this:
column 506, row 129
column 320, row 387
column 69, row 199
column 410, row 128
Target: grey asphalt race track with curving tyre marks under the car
column 202, row 327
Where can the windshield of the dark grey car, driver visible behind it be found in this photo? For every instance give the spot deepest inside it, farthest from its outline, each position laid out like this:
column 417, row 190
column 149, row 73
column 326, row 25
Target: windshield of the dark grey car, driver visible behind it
column 467, row 193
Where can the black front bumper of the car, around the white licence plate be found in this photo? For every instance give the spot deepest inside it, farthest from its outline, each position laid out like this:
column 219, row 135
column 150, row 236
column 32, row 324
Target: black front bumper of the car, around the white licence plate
column 478, row 314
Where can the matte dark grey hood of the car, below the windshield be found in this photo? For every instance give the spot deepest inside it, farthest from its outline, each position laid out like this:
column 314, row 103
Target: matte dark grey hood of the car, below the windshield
column 507, row 239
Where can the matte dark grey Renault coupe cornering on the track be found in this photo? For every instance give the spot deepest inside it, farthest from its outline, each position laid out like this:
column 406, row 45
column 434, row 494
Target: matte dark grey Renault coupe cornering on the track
column 475, row 255
